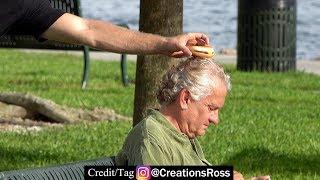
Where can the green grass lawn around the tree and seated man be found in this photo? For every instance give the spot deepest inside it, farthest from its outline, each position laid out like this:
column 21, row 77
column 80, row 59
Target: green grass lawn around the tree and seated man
column 270, row 123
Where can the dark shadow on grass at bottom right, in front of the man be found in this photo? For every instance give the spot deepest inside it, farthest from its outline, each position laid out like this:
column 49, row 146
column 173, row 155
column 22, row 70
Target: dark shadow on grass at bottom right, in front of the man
column 263, row 160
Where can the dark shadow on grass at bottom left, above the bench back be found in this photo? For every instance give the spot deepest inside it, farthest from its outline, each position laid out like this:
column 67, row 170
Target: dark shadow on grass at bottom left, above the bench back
column 17, row 158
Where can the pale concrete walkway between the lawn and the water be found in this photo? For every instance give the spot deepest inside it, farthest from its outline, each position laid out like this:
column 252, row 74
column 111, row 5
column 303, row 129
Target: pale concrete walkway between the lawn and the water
column 309, row 66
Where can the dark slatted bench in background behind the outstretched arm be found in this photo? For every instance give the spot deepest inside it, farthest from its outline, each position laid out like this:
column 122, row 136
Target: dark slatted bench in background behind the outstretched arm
column 29, row 42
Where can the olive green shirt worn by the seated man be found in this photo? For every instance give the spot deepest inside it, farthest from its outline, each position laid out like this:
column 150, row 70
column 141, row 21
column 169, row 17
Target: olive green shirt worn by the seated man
column 155, row 141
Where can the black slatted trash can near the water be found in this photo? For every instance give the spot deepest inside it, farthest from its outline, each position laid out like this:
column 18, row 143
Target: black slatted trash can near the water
column 266, row 35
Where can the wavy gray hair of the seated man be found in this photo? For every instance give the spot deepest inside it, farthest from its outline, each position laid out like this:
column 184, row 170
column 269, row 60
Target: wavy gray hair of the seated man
column 198, row 76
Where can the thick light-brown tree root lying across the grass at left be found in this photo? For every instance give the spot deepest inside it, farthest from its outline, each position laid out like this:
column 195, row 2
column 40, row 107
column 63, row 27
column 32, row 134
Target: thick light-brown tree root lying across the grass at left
column 47, row 111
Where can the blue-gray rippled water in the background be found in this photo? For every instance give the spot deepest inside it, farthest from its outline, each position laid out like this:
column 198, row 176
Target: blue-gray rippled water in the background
column 216, row 18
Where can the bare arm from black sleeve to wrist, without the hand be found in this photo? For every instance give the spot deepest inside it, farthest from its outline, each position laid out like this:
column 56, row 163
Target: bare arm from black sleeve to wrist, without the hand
column 103, row 35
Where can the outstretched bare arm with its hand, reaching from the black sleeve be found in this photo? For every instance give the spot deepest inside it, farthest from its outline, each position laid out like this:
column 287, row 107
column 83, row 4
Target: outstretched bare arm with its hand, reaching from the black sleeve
column 106, row 36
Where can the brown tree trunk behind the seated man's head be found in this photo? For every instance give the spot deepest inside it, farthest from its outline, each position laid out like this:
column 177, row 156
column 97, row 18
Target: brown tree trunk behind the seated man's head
column 163, row 17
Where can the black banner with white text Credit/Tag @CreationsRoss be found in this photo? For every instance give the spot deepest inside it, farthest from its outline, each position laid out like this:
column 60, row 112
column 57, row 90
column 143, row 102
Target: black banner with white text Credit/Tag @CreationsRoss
column 158, row 172
